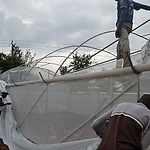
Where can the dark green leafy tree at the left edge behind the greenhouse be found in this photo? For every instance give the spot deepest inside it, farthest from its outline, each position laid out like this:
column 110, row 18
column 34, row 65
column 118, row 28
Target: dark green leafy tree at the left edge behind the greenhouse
column 15, row 58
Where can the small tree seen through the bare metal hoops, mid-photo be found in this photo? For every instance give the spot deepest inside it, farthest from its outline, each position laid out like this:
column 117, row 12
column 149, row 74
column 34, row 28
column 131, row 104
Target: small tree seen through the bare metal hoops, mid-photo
column 79, row 62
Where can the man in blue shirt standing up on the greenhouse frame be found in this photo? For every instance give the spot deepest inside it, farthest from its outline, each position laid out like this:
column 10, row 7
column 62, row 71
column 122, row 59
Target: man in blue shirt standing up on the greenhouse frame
column 124, row 24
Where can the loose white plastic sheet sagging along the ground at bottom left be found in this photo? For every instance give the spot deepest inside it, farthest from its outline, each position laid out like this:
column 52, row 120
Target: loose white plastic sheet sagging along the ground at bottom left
column 15, row 141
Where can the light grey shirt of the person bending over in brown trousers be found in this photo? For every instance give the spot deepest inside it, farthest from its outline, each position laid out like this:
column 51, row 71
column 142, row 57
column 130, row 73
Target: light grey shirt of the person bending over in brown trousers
column 136, row 111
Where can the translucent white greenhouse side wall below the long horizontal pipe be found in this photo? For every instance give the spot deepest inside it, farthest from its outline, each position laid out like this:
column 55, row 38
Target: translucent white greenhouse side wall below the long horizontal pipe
column 63, row 111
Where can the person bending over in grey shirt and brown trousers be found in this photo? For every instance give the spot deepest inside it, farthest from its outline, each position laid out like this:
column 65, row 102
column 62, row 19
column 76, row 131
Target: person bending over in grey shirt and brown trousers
column 125, row 127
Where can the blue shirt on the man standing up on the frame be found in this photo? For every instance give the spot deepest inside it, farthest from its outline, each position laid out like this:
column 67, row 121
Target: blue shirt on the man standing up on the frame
column 130, row 5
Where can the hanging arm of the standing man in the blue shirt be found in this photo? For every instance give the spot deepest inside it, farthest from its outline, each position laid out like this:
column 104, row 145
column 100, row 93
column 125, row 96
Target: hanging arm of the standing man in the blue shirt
column 119, row 26
